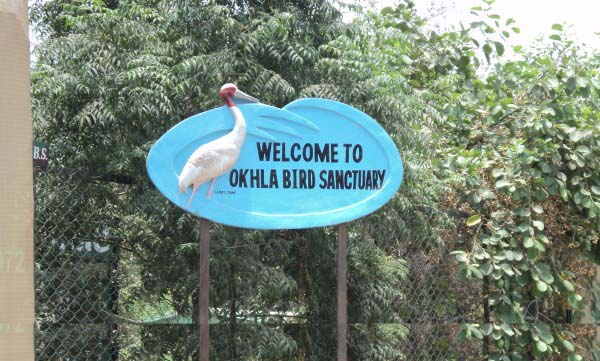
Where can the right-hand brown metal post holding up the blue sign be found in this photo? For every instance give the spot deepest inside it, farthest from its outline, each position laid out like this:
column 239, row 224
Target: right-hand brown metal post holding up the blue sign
column 342, row 313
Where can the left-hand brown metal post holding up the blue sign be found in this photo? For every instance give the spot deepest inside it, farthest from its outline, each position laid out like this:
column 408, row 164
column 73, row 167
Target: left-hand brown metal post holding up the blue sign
column 204, row 284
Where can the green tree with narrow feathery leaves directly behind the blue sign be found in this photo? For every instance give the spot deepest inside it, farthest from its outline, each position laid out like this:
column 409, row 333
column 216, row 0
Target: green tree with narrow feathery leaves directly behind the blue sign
column 111, row 79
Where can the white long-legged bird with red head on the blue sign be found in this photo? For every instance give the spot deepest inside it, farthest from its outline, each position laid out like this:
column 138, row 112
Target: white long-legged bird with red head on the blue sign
column 215, row 158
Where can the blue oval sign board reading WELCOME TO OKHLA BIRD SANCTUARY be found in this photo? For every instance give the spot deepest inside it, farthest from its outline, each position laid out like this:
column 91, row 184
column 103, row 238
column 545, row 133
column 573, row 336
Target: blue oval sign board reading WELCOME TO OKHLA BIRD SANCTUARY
column 316, row 162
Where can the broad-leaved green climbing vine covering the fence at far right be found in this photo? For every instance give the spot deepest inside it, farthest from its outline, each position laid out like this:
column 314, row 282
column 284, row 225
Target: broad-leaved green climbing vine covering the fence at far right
column 523, row 161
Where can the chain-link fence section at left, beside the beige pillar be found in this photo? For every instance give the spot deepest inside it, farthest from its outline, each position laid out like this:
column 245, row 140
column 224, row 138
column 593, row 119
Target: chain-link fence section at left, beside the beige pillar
column 76, row 268
